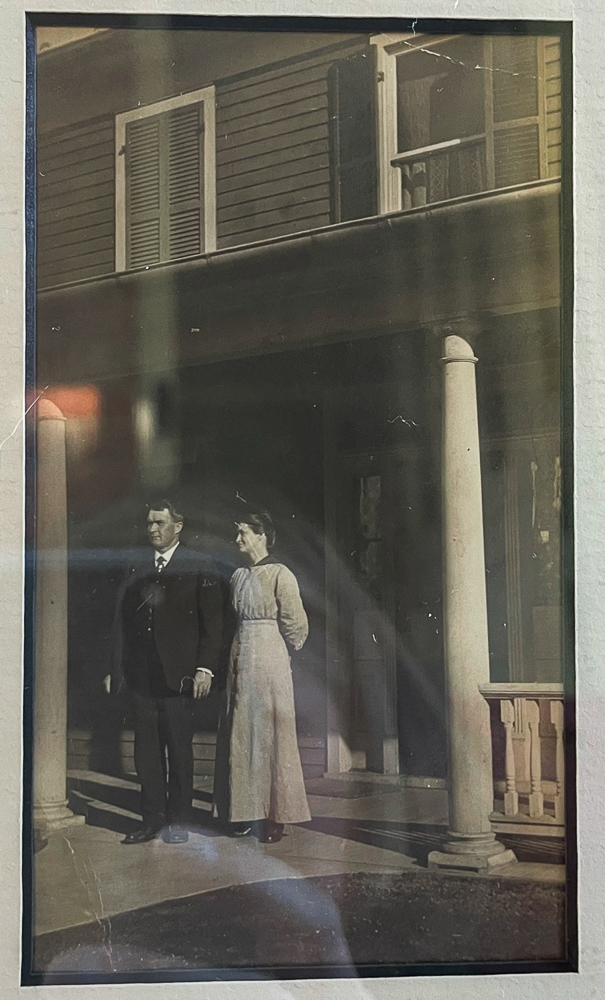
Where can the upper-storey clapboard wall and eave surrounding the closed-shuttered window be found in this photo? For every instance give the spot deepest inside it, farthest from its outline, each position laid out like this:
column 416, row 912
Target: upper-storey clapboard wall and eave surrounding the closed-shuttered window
column 272, row 137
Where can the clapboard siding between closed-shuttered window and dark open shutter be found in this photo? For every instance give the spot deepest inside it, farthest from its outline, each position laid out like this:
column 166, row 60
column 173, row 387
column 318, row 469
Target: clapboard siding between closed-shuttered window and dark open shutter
column 272, row 142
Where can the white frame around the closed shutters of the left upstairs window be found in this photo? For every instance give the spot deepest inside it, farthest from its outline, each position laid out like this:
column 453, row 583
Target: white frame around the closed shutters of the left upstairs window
column 205, row 96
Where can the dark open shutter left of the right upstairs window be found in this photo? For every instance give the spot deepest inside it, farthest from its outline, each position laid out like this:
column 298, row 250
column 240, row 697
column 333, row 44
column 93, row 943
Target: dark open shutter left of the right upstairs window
column 352, row 116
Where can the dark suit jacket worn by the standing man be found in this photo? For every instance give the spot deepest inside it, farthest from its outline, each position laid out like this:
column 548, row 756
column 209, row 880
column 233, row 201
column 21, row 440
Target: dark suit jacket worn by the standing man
column 181, row 610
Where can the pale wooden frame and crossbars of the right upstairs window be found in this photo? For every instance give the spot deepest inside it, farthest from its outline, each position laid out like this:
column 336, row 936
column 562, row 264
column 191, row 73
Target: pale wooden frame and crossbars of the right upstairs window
column 388, row 47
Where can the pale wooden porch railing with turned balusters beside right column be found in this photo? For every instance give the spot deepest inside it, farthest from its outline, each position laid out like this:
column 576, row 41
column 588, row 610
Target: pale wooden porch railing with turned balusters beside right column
column 527, row 723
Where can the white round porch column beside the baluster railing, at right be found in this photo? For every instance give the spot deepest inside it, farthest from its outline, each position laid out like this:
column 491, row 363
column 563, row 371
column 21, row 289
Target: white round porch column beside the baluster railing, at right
column 471, row 843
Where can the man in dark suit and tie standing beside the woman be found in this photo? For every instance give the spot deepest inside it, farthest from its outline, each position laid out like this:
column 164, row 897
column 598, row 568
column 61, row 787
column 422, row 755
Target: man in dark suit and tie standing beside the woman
column 168, row 643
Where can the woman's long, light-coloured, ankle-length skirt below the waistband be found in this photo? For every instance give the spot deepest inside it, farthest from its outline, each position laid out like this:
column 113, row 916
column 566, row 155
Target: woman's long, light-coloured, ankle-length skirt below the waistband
column 258, row 773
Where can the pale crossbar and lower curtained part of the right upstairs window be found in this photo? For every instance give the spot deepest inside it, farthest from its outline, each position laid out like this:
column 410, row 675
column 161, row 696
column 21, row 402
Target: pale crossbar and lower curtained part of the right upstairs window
column 442, row 171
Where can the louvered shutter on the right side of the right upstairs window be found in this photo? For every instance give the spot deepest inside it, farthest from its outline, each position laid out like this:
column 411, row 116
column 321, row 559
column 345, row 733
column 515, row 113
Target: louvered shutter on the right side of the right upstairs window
column 516, row 133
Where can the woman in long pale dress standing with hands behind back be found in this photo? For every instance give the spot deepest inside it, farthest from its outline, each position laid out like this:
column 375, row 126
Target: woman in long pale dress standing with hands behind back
column 258, row 774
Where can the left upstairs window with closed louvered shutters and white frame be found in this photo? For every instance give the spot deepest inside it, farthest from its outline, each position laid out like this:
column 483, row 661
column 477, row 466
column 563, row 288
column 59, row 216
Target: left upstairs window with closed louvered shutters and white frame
column 165, row 181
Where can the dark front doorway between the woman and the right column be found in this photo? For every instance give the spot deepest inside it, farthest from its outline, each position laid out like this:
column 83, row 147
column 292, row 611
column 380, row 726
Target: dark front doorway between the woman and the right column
column 385, row 629
